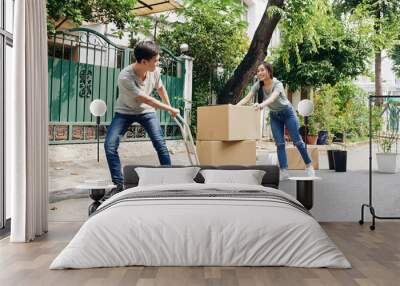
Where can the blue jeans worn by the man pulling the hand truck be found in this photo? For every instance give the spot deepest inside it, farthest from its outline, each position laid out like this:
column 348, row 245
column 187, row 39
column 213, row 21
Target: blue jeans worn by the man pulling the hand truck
column 117, row 129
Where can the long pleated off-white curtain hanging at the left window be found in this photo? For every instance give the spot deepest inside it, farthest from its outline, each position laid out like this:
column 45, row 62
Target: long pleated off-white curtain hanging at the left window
column 26, row 157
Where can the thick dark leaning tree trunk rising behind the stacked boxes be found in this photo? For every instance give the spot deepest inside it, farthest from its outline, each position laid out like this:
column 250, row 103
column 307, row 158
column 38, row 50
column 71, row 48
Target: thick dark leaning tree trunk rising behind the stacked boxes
column 257, row 52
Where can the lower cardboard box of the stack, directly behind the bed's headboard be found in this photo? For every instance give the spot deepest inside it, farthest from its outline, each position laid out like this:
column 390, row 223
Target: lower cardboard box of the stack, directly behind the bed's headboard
column 227, row 152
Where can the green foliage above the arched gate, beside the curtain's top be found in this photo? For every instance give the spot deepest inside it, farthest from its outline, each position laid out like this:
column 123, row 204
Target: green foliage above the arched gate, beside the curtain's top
column 119, row 12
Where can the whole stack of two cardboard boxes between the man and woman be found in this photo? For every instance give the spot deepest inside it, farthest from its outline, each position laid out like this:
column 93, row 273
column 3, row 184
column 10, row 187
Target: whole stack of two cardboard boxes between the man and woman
column 227, row 134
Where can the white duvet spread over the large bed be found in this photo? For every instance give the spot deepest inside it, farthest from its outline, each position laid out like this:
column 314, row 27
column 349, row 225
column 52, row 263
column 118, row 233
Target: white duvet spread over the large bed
column 200, row 231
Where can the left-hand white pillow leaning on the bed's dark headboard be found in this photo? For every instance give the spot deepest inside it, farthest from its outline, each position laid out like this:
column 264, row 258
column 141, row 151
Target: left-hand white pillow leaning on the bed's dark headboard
column 166, row 176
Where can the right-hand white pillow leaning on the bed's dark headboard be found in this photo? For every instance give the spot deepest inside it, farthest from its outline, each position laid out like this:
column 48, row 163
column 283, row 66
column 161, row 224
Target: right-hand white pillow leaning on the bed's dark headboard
column 248, row 177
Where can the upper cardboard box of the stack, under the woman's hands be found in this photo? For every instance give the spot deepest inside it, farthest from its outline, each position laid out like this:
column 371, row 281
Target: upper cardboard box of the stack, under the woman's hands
column 228, row 123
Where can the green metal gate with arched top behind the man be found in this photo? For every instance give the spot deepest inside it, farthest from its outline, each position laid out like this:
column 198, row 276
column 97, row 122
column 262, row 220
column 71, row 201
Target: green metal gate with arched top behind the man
column 84, row 65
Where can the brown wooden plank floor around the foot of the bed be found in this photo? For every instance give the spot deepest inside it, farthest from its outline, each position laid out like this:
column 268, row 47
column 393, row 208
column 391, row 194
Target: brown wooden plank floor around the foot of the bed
column 375, row 257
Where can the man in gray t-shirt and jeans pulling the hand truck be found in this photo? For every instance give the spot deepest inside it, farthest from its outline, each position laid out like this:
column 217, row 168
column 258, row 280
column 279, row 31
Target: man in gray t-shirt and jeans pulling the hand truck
column 136, row 82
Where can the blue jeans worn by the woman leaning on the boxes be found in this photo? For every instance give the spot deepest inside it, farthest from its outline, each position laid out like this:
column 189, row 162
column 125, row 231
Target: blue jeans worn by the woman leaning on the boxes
column 280, row 119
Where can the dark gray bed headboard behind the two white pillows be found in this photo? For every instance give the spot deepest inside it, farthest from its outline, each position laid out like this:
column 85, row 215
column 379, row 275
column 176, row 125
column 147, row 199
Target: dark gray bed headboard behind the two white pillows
column 270, row 179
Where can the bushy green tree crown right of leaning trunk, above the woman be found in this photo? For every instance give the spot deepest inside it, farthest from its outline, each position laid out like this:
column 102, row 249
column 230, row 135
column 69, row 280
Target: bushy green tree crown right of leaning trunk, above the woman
column 335, row 52
